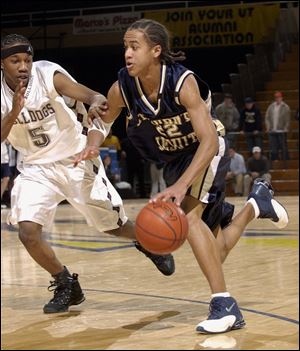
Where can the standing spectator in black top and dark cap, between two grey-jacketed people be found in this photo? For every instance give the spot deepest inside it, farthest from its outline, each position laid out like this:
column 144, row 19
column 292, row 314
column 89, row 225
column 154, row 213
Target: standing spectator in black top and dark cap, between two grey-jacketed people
column 251, row 124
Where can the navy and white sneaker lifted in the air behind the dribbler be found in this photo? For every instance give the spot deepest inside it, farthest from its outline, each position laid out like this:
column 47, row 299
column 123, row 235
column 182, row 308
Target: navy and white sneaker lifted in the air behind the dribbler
column 261, row 198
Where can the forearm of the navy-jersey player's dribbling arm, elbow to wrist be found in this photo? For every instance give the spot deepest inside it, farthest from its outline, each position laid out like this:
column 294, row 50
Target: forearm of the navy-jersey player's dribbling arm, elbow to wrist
column 205, row 153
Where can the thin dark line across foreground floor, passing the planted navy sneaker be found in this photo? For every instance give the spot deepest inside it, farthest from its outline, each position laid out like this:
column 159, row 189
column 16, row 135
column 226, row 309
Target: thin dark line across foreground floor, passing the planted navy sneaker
column 267, row 314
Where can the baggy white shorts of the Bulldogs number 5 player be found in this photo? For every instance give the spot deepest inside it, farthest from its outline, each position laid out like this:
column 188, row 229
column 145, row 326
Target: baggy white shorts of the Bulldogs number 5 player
column 40, row 188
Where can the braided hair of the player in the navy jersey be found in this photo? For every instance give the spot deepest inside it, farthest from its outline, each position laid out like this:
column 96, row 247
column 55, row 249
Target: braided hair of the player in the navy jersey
column 157, row 34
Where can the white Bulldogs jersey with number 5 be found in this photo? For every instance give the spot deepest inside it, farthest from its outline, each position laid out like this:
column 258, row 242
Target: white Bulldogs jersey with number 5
column 47, row 129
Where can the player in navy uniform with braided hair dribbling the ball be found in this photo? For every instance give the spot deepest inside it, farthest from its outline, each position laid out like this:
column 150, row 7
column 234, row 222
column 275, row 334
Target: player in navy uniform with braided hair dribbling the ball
column 169, row 121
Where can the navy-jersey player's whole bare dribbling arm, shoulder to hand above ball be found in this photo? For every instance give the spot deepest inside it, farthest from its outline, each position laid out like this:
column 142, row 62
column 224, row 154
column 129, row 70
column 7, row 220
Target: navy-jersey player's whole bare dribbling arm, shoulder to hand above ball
column 206, row 134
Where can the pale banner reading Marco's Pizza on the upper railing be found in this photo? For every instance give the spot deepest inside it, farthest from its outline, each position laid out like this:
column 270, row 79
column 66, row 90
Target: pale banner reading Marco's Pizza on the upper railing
column 104, row 23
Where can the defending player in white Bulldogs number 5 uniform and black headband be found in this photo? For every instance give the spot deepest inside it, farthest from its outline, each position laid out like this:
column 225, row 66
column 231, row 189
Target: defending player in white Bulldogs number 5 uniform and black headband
column 38, row 100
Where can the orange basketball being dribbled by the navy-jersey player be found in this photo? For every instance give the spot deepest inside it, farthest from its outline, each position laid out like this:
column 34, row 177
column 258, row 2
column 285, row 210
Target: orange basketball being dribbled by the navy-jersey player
column 161, row 227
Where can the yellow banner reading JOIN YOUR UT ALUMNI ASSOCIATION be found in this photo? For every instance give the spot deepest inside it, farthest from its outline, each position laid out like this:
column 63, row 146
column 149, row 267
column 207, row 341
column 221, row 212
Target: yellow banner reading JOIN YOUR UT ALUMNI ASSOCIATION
column 218, row 25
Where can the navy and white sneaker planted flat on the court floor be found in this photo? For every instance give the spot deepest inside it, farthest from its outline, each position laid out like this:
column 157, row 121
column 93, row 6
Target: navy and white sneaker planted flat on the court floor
column 224, row 315
